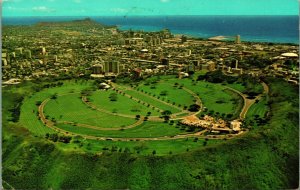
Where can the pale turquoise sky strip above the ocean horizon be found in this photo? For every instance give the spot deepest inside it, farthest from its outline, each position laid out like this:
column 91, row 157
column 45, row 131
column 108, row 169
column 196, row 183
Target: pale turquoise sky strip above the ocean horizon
column 147, row 7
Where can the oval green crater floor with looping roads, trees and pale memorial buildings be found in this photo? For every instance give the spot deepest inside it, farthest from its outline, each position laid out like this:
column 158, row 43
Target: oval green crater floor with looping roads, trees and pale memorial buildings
column 159, row 110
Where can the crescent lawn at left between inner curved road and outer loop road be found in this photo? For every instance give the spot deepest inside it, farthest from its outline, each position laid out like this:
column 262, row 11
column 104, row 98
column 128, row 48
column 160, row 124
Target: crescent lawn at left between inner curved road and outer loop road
column 71, row 108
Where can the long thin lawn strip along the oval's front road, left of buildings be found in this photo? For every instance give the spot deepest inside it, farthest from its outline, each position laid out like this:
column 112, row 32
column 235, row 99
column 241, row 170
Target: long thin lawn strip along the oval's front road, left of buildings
column 145, row 130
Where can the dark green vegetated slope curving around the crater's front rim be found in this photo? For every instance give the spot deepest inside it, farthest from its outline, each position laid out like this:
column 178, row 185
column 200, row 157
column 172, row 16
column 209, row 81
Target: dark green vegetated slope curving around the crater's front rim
column 264, row 158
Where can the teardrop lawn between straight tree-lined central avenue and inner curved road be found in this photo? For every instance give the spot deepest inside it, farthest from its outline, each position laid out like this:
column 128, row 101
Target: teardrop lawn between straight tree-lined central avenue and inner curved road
column 123, row 104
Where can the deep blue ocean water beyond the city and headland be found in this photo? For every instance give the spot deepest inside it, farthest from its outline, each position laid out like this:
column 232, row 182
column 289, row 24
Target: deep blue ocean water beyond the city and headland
column 278, row 29
